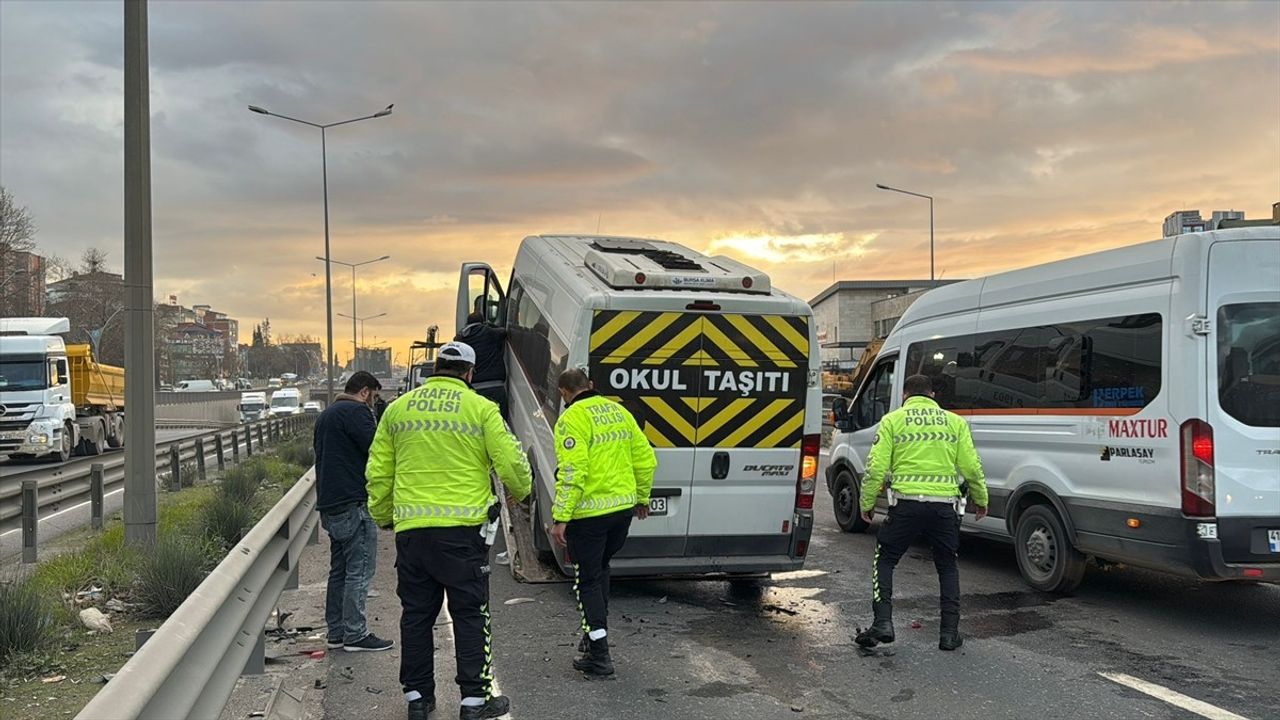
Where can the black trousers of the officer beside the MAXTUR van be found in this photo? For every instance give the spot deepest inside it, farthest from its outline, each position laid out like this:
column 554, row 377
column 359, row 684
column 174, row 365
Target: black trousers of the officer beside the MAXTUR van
column 940, row 526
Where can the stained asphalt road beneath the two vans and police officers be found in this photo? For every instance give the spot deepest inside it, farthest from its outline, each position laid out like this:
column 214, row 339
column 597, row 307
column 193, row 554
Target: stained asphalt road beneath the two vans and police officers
column 781, row 648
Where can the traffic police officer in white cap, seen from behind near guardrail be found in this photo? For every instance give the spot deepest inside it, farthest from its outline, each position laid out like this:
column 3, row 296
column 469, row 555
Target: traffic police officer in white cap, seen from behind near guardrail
column 429, row 473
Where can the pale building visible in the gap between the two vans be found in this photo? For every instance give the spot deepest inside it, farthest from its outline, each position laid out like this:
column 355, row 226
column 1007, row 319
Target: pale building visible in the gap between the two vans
column 845, row 320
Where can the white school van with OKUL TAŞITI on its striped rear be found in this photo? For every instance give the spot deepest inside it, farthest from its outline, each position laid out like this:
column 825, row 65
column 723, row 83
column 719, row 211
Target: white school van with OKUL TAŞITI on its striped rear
column 714, row 363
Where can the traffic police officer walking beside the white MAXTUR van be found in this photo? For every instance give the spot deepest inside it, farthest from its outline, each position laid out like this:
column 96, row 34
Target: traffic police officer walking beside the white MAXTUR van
column 922, row 446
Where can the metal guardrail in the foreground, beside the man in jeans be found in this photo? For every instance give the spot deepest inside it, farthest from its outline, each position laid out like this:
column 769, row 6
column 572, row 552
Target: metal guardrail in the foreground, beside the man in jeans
column 189, row 668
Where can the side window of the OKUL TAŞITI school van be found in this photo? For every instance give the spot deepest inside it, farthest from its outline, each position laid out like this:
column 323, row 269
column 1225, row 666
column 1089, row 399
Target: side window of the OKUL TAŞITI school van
column 540, row 350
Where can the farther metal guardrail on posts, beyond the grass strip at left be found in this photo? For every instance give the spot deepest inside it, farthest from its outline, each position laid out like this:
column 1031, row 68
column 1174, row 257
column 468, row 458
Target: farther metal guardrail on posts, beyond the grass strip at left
column 42, row 491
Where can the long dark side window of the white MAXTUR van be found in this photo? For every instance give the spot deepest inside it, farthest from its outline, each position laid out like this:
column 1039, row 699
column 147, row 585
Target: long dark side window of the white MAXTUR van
column 1103, row 363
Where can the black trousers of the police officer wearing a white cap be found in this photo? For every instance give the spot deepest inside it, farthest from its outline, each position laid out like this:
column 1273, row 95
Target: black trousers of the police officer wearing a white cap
column 433, row 564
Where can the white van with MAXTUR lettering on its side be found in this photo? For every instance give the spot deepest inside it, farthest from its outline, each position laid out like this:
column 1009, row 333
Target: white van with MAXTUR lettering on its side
column 1126, row 405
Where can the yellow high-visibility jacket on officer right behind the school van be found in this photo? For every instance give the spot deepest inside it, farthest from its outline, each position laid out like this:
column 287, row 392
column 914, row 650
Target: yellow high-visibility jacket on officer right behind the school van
column 605, row 461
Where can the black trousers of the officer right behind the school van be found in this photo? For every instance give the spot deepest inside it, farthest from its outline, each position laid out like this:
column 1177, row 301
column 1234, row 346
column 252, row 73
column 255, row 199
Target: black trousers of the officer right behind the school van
column 592, row 544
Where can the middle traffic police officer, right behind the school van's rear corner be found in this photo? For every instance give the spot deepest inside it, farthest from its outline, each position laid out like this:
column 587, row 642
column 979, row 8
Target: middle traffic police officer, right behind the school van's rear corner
column 605, row 476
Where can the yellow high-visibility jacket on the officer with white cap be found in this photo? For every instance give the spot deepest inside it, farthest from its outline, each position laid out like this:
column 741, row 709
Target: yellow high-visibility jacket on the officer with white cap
column 429, row 464
